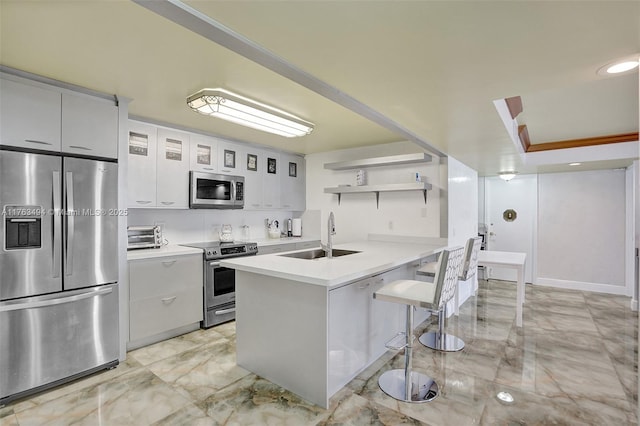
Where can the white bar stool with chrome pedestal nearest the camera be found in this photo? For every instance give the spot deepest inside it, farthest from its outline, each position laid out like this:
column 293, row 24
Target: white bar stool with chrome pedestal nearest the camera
column 404, row 384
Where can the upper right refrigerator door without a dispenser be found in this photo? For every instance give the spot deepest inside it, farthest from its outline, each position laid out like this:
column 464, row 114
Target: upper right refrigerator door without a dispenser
column 90, row 223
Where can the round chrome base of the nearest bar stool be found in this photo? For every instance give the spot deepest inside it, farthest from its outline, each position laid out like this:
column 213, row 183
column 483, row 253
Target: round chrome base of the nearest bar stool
column 423, row 387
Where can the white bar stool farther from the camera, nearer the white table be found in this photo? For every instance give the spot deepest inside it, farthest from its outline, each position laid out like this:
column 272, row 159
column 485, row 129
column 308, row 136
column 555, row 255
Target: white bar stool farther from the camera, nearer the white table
column 439, row 340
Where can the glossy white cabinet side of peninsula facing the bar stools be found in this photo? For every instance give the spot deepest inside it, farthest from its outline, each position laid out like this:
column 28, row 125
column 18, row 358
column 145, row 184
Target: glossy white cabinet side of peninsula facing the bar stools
column 359, row 325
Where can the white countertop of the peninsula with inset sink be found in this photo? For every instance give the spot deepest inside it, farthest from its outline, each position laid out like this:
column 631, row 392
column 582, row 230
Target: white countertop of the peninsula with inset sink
column 374, row 257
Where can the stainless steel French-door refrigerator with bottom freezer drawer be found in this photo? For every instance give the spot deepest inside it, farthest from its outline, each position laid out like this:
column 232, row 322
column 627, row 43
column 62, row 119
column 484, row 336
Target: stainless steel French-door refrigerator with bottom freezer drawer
column 58, row 270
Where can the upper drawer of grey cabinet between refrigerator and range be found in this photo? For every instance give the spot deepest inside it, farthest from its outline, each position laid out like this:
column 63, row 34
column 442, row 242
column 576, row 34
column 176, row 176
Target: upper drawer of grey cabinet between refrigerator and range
column 161, row 276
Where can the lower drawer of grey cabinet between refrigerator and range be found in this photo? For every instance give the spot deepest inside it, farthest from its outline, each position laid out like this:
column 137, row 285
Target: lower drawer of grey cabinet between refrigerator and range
column 163, row 313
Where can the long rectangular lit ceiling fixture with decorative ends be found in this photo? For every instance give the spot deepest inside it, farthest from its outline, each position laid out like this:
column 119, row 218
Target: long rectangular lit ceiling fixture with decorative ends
column 241, row 110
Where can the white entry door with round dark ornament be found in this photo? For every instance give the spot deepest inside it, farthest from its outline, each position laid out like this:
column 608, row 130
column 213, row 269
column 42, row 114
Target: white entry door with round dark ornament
column 511, row 212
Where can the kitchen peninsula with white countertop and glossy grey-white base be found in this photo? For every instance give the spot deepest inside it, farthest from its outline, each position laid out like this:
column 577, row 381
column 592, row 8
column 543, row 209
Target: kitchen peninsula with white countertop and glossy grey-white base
column 311, row 325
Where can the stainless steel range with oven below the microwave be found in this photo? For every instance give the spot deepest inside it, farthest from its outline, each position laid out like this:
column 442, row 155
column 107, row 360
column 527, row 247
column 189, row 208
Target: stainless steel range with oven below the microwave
column 220, row 282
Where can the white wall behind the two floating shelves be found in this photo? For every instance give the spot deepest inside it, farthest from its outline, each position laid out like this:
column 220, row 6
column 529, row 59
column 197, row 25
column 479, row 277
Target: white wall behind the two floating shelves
column 400, row 213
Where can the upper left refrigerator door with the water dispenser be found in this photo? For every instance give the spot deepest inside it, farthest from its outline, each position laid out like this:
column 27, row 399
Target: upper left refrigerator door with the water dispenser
column 31, row 232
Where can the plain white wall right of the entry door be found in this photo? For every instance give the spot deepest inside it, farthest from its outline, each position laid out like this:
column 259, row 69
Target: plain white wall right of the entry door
column 581, row 230
